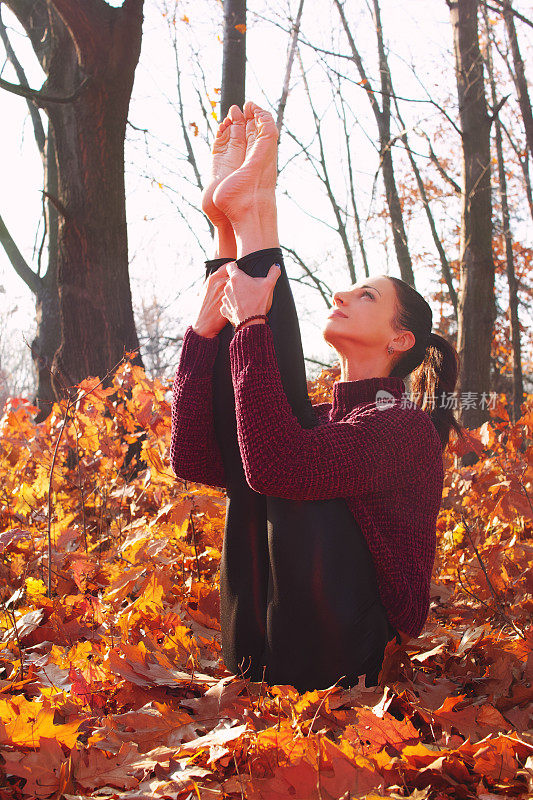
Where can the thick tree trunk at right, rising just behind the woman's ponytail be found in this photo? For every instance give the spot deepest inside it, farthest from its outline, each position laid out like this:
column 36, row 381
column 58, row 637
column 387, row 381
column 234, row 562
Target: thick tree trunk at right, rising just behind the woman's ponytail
column 477, row 309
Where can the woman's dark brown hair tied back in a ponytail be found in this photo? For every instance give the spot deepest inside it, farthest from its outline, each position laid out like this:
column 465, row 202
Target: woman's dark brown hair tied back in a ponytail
column 432, row 360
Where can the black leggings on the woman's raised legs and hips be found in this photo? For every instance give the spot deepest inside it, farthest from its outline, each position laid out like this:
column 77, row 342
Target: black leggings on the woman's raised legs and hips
column 299, row 599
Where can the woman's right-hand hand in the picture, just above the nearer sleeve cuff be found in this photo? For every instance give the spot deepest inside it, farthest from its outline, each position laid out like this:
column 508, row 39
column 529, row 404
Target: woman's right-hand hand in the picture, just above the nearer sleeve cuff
column 243, row 295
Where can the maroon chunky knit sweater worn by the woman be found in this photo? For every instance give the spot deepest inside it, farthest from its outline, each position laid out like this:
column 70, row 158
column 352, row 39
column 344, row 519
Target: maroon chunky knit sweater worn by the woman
column 386, row 462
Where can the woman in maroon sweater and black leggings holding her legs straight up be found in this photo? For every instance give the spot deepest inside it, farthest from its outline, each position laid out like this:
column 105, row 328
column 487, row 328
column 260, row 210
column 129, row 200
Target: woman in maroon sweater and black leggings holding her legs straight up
column 329, row 538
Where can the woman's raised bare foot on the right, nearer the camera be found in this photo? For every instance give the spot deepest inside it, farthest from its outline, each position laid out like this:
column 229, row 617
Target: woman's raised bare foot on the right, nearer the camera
column 253, row 183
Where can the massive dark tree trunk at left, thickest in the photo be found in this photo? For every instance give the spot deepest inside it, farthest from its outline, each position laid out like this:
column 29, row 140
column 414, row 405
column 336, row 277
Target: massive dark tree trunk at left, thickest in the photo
column 97, row 323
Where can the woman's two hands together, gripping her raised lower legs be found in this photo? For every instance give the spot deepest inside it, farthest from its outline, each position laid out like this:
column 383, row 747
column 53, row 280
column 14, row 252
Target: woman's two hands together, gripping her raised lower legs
column 230, row 295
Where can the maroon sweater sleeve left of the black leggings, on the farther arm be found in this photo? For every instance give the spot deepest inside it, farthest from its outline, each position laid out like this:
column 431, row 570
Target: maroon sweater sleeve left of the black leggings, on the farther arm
column 194, row 452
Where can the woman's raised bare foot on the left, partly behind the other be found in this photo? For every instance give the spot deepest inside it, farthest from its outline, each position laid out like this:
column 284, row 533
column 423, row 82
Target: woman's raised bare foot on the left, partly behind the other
column 228, row 152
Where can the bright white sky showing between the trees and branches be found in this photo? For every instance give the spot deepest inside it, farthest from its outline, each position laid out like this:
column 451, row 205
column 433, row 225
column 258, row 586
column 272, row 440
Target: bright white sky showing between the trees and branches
column 166, row 251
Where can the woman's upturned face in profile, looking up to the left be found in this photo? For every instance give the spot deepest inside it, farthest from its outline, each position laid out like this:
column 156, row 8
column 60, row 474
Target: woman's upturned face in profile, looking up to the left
column 361, row 315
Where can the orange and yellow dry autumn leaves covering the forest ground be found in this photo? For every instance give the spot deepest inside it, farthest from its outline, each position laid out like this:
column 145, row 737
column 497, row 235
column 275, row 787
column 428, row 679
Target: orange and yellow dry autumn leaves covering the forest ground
column 112, row 683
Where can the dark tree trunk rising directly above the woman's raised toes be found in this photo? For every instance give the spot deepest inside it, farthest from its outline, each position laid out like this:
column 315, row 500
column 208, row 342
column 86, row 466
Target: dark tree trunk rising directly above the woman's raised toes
column 234, row 56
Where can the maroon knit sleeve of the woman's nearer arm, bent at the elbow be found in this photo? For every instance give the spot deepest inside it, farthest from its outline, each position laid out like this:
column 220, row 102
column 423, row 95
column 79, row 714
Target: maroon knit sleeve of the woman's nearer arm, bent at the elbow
column 372, row 450
